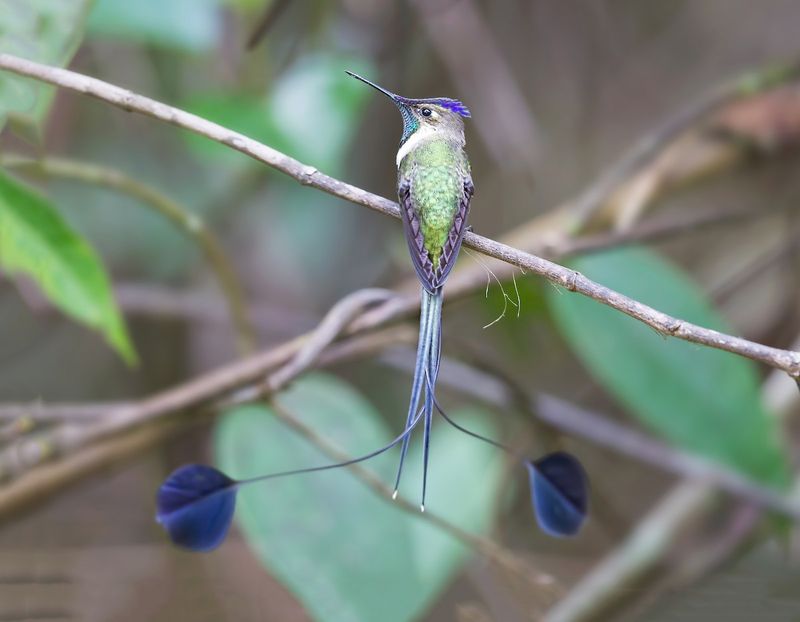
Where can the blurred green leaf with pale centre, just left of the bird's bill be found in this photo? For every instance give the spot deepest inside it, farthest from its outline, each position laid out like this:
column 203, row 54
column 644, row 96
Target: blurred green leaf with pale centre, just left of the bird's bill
column 310, row 114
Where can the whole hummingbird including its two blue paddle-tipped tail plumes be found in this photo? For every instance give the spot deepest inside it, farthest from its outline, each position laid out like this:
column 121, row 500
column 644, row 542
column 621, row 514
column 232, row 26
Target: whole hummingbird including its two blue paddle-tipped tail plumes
column 195, row 503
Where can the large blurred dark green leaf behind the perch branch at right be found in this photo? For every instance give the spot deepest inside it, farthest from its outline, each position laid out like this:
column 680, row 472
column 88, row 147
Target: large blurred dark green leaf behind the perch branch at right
column 701, row 399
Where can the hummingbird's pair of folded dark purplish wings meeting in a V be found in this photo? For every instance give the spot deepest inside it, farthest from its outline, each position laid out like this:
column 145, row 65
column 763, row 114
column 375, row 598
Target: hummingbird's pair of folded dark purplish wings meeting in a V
column 433, row 276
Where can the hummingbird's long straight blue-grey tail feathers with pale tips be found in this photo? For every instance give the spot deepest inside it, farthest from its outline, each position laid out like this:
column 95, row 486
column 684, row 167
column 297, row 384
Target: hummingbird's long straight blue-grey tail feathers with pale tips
column 426, row 369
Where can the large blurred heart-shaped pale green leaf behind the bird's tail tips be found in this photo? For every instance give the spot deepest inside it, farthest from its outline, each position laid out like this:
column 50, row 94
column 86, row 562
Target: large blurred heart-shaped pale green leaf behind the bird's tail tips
column 342, row 550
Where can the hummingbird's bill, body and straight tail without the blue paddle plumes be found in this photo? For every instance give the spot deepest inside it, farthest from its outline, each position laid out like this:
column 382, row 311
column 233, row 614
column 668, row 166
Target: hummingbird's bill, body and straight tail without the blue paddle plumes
column 434, row 188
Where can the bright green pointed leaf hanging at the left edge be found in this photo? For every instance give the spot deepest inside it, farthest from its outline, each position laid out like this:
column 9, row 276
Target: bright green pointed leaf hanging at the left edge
column 36, row 242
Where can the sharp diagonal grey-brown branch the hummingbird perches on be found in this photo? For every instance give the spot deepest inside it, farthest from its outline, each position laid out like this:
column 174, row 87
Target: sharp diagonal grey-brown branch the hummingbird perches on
column 573, row 281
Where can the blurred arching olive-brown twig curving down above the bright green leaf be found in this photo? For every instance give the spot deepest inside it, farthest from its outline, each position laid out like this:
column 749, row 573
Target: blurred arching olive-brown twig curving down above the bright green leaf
column 188, row 222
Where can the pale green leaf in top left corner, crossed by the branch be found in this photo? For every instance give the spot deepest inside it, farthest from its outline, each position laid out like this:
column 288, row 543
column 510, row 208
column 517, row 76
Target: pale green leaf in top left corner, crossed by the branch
column 47, row 31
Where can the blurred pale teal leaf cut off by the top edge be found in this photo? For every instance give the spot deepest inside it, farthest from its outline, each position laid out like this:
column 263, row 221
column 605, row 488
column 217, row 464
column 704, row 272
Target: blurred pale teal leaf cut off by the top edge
column 184, row 25
